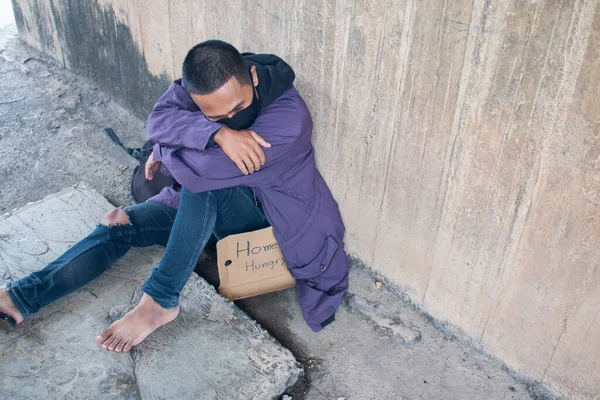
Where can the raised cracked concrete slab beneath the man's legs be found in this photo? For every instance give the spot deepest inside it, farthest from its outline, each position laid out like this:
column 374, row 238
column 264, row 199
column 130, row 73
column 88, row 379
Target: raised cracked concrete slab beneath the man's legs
column 211, row 351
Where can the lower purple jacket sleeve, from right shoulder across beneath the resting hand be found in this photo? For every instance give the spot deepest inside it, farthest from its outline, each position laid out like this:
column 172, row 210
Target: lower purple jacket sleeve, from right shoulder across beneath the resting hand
column 280, row 124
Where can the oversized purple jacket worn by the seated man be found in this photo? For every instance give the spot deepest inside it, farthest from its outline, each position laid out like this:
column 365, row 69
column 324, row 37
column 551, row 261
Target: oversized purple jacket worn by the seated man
column 296, row 200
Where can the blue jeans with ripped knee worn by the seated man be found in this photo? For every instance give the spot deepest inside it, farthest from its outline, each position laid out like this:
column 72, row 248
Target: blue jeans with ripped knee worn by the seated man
column 184, row 232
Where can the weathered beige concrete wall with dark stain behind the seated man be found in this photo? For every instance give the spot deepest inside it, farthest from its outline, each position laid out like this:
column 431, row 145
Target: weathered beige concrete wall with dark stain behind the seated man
column 461, row 139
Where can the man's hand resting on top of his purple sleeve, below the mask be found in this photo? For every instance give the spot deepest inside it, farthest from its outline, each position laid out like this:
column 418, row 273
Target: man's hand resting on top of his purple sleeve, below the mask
column 243, row 147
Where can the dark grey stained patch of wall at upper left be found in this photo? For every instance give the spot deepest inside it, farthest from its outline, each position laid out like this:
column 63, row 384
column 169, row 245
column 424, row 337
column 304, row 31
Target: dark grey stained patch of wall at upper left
column 91, row 40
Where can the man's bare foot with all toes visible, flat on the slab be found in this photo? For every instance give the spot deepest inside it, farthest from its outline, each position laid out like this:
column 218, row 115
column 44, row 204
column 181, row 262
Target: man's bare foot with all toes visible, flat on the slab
column 136, row 325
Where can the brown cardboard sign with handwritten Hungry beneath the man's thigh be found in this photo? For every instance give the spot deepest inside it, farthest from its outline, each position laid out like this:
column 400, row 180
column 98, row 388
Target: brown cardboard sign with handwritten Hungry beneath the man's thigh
column 251, row 264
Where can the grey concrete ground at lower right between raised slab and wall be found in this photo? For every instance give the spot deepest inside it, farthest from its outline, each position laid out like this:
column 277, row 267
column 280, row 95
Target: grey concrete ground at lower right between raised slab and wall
column 380, row 347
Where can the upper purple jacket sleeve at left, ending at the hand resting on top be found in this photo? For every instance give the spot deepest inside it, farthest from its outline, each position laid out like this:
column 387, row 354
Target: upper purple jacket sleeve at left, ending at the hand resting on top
column 176, row 121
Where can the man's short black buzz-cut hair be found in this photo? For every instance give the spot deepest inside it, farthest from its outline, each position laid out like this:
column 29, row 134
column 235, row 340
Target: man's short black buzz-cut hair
column 211, row 64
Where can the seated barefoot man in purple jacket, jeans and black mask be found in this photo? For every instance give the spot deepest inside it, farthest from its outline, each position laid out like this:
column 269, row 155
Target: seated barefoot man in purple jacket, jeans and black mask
column 229, row 185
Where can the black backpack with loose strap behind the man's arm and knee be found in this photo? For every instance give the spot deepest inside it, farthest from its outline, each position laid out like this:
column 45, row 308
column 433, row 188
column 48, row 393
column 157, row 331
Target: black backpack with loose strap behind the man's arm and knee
column 141, row 188
